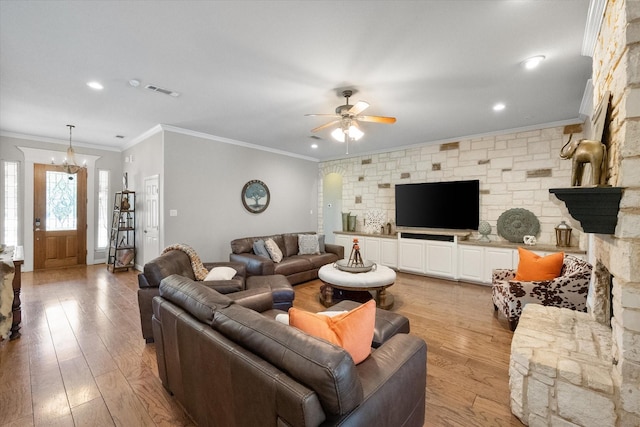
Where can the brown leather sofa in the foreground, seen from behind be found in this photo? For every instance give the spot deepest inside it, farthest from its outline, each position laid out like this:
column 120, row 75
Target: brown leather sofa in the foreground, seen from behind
column 229, row 364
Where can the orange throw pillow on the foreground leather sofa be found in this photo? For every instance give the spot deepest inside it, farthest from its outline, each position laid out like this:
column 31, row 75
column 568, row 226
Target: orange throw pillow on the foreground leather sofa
column 352, row 330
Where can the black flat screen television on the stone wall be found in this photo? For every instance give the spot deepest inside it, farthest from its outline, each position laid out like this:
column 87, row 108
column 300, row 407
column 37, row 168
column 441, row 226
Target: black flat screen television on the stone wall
column 452, row 205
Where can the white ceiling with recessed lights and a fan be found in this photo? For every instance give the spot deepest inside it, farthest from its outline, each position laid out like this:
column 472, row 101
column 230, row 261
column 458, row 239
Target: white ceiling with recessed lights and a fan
column 249, row 71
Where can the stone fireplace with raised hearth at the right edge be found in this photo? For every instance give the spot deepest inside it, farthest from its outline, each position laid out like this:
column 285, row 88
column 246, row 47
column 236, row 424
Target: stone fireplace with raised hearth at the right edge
column 583, row 369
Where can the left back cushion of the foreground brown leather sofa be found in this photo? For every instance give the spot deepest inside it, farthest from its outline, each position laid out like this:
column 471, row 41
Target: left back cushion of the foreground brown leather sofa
column 200, row 301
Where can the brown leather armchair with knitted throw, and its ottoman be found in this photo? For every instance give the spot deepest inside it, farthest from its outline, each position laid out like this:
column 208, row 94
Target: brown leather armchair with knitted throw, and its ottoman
column 178, row 262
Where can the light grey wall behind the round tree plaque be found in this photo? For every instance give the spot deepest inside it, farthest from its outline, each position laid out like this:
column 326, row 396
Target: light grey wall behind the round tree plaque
column 203, row 180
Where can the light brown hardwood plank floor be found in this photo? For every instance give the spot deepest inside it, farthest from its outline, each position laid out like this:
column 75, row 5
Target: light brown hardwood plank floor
column 82, row 361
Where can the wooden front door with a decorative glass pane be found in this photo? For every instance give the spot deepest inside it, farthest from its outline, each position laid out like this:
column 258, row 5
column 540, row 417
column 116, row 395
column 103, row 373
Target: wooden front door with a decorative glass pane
column 60, row 217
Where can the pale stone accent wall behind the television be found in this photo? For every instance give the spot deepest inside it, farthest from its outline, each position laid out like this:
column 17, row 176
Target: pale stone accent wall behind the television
column 515, row 171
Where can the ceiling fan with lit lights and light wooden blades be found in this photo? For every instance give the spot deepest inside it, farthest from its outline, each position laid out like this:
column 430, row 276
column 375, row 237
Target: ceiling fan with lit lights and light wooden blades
column 348, row 117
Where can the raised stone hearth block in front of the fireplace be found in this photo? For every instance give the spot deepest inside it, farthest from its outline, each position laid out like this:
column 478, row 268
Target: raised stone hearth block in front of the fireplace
column 560, row 369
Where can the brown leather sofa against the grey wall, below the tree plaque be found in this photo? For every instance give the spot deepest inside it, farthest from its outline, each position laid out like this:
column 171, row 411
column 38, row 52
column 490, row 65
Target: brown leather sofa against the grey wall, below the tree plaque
column 296, row 268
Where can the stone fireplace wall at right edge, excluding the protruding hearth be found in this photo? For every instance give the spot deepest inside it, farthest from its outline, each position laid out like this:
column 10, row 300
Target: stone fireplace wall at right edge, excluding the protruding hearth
column 616, row 68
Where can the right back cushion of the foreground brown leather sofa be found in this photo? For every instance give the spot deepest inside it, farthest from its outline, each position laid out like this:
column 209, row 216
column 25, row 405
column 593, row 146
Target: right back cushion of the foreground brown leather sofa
column 325, row 368
